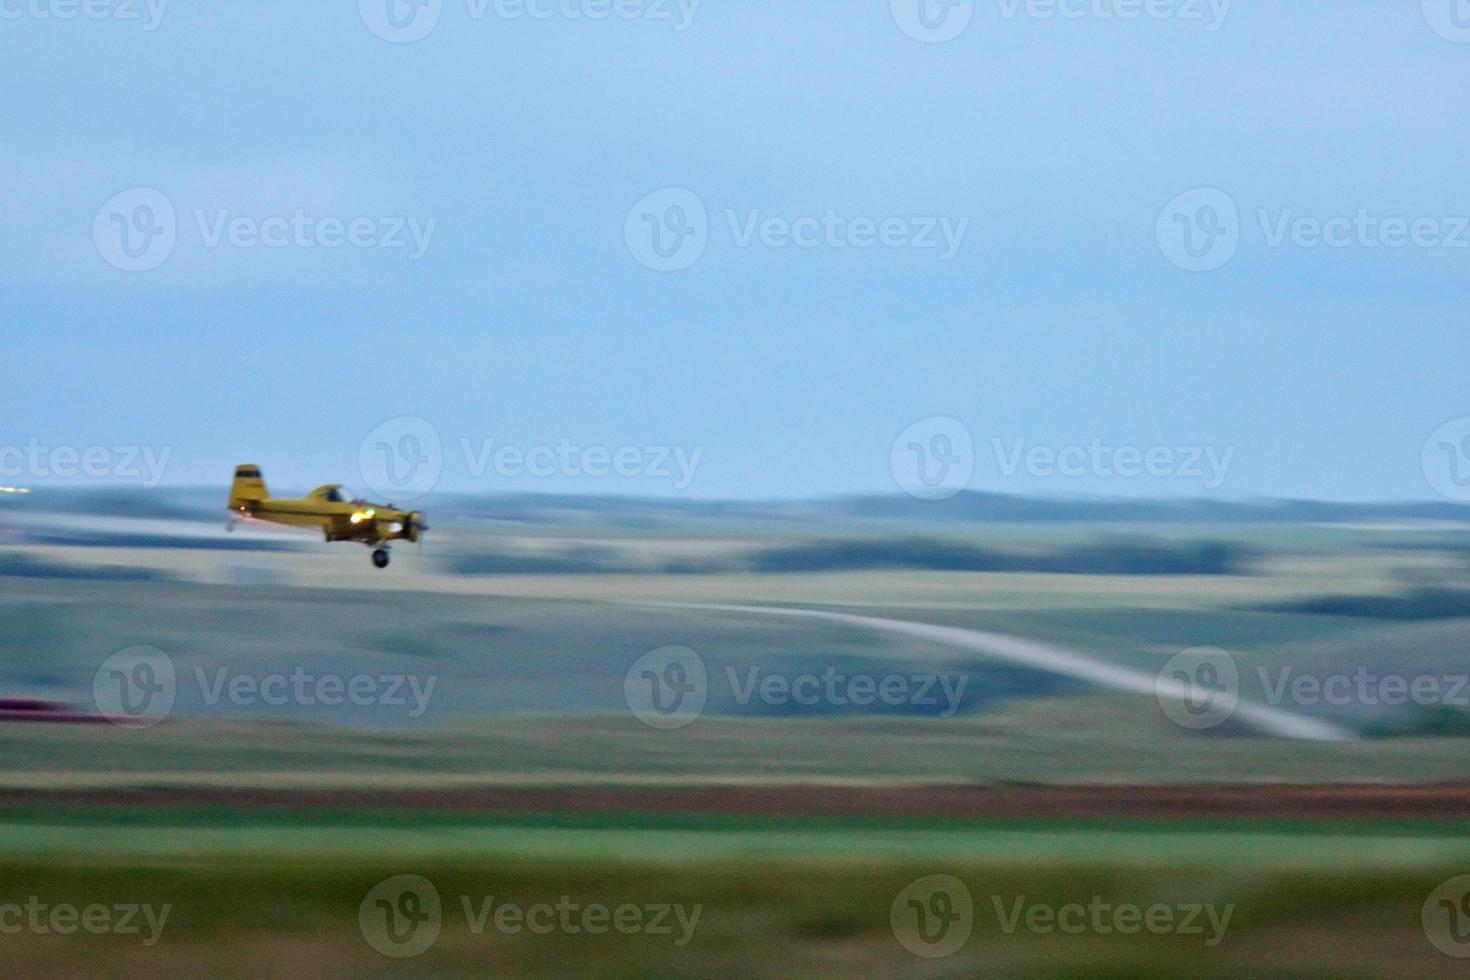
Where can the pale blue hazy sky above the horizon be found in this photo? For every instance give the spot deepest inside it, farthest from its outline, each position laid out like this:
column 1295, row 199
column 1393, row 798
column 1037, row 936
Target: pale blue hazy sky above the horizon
column 526, row 143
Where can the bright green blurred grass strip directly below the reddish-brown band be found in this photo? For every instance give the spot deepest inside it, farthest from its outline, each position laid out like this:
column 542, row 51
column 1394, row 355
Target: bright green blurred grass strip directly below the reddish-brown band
column 140, row 834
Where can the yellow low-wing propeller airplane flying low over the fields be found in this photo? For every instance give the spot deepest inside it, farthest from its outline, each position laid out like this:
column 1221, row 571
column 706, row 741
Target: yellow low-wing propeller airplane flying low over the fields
column 326, row 509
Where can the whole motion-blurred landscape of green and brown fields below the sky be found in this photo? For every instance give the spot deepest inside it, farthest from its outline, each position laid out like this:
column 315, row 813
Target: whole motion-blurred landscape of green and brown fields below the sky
column 527, row 774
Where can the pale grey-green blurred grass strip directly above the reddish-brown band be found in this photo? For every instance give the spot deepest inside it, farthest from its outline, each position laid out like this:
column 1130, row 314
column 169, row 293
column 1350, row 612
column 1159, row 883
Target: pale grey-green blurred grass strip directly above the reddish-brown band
column 1077, row 740
